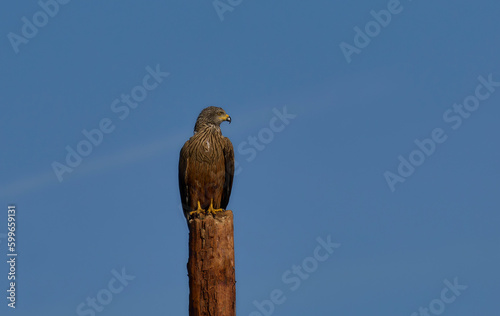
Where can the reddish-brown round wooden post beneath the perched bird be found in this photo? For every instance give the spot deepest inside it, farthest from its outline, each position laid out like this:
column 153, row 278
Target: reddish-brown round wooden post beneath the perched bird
column 212, row 285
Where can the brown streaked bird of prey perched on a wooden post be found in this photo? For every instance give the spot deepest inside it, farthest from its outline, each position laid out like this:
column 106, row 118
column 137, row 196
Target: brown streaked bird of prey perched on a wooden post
column 206, row 165
